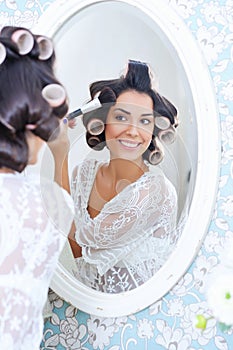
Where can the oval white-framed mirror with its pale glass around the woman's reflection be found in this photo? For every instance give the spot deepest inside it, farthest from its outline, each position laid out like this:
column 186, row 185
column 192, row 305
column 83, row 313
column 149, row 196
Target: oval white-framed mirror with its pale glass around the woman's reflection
column 93, row 41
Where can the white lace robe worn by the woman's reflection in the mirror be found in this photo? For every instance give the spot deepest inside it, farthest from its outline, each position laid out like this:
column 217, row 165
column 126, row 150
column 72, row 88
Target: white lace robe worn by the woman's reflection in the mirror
column 132, row 236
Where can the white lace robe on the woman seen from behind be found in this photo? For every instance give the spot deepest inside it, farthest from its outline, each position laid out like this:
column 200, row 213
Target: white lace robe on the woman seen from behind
column 35, row 218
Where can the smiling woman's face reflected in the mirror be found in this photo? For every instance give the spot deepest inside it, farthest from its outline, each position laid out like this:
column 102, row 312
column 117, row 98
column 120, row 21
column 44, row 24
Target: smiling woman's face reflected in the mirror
column 130, row 125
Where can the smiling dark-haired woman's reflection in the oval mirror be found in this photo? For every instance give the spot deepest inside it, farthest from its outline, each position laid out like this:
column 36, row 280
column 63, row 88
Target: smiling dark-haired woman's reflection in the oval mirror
column 126, row 208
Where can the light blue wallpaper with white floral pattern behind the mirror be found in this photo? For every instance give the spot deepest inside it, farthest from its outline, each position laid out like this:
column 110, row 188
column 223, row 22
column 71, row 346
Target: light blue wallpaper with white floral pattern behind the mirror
column 170, row 322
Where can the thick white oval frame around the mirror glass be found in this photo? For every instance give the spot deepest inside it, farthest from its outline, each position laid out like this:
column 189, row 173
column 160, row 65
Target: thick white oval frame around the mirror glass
column 208, row 163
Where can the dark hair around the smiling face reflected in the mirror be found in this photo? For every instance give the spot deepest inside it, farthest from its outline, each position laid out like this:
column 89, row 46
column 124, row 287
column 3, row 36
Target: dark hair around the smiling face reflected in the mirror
column 137, row 78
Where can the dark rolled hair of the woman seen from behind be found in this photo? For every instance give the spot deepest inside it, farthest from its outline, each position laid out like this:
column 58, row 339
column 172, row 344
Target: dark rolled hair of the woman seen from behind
column 23, row 76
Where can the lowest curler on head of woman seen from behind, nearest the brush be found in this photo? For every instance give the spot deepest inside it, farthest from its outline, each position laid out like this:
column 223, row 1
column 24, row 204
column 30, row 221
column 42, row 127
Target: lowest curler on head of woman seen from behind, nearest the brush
column 54, row 94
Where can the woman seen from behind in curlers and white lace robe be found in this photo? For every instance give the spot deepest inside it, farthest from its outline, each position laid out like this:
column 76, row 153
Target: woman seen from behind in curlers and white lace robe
column 36, row 214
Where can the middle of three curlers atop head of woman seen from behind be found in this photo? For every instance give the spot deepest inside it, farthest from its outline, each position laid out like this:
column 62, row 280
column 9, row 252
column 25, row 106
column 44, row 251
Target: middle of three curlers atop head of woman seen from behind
column 24, row 40
